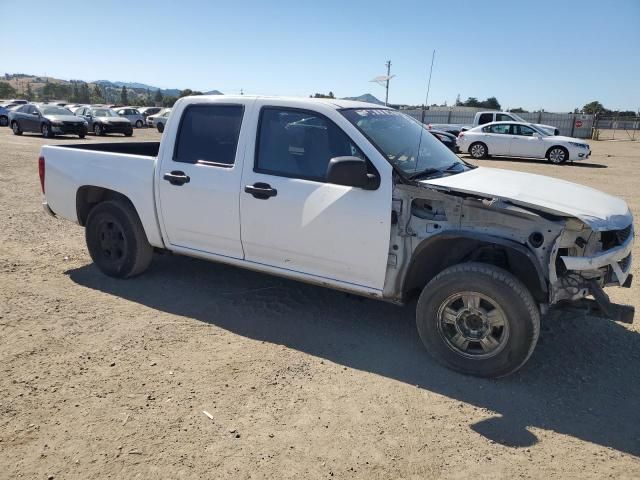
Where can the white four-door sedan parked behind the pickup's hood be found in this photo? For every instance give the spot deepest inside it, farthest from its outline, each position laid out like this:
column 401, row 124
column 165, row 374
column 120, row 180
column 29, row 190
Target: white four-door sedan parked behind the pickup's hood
column 518, row 139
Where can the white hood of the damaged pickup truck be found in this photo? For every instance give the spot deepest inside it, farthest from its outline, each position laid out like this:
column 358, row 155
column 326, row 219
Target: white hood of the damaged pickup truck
column 597, row 209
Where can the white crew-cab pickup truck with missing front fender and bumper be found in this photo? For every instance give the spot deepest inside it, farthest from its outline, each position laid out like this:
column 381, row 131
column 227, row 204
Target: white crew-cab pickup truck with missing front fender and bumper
column 355, row 197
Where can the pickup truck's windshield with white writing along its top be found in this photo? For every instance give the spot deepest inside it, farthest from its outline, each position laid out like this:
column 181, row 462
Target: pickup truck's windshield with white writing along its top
column 405, row 142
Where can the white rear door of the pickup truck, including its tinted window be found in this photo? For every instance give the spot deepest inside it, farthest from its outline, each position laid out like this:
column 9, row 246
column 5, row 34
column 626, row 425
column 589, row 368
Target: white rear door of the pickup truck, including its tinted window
column 199, row 180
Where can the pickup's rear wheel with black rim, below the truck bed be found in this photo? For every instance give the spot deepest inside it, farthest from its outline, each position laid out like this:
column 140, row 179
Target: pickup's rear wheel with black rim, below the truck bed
column 116, row 240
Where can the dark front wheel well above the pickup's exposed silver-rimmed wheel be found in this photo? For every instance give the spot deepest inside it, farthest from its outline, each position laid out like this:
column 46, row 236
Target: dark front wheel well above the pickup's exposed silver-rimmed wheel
column 436, row 254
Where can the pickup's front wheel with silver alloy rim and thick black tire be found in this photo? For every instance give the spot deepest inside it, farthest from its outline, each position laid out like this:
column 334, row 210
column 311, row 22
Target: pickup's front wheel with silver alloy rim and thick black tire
column 478, row 319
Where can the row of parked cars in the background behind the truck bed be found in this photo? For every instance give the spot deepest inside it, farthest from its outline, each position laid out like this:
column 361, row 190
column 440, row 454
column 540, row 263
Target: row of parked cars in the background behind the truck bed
column 59, row 118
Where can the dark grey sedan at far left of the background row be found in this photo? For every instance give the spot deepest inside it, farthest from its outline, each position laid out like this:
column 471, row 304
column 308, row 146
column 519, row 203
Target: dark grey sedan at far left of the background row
column 49, row 120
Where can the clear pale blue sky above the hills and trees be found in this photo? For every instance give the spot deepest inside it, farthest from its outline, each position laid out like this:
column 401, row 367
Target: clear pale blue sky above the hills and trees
column 556, row 55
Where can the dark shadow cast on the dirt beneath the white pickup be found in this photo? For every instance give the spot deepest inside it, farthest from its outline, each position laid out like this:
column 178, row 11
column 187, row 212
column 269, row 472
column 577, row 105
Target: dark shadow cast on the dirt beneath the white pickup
column 583, row 379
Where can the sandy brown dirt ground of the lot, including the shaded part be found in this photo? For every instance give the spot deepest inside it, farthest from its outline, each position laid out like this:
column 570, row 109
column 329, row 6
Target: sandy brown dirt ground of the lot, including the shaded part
column 109, row 379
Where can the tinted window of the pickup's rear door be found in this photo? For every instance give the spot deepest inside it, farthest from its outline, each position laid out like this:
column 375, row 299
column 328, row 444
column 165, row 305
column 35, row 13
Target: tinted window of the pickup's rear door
column 208, row 134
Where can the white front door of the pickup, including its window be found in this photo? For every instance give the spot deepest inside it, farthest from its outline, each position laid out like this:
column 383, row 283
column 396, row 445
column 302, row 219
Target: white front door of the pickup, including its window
column 294, row 220
